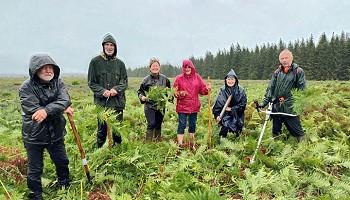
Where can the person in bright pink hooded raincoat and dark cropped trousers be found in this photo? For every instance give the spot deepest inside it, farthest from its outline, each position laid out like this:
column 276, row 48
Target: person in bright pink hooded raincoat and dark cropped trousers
column 189, row 85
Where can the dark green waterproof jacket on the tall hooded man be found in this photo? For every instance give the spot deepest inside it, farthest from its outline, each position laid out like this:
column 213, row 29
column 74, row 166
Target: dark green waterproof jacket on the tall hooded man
column 105, row 74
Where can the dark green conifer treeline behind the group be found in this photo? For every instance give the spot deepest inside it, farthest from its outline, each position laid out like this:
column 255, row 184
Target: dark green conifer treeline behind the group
column 329, row 59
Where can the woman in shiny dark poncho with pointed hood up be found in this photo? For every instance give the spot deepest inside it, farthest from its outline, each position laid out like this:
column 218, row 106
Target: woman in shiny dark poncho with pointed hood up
column 232, row 119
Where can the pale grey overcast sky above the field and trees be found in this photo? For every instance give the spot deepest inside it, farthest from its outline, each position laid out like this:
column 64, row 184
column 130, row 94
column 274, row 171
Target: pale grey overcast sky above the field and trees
column 171, row 30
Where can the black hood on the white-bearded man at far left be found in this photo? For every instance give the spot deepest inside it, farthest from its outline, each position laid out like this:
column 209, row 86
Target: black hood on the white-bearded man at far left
column 39, row 60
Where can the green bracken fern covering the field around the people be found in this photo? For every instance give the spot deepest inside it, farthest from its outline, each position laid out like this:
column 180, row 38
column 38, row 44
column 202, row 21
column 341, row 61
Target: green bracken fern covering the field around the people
column 317, row 168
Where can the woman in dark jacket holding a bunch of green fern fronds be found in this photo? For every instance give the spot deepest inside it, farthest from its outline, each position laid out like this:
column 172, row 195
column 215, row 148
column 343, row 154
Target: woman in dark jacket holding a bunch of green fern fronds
column 153, row 115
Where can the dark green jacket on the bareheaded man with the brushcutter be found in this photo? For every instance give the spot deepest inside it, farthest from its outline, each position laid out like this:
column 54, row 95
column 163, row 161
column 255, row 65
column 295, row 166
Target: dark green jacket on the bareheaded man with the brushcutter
column 281, row 85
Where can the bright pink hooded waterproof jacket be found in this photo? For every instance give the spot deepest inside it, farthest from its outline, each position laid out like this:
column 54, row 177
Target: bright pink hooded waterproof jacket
column 193, row 85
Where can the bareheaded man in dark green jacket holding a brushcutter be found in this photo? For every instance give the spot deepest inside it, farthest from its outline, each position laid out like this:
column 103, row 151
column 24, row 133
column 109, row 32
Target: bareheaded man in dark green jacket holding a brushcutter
column 286, row 77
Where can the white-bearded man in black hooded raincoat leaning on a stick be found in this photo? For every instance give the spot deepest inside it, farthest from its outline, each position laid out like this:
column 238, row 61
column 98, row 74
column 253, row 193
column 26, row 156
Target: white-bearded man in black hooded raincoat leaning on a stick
column 44, row 98
